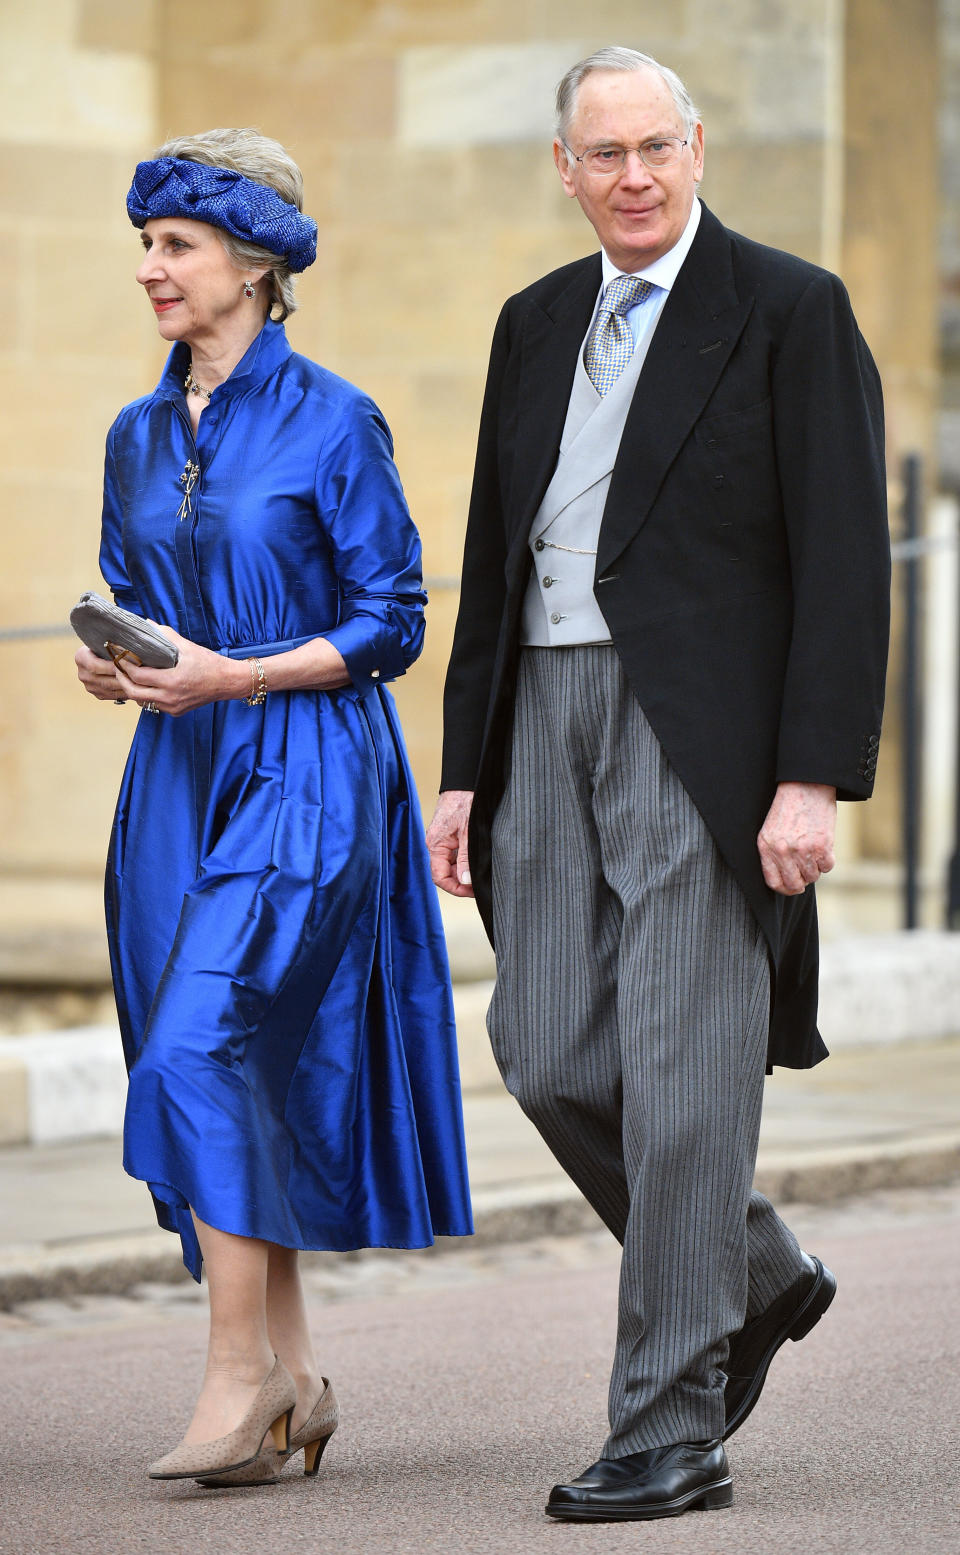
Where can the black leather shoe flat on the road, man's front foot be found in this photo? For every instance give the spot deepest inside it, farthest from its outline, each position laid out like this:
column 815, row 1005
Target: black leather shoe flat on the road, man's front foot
column 660, row 1483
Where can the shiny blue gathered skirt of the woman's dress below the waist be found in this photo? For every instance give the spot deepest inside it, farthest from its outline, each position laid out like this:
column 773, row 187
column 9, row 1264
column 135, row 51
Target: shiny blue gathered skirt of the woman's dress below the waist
column 282, row 979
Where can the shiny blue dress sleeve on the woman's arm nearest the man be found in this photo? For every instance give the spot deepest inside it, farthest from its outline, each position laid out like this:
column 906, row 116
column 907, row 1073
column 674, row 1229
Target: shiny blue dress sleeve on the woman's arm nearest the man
column 376, row 548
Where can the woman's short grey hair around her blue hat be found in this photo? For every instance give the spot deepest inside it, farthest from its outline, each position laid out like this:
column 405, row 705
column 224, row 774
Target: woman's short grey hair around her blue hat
column 264, row 161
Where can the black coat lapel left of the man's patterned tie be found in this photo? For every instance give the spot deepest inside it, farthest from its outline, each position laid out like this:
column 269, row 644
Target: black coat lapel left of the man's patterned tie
column 550, row 348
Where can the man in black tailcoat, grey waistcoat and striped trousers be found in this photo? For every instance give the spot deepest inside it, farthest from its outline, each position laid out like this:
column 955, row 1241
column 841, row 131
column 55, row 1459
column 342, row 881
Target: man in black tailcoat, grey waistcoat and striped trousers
column 668, row 665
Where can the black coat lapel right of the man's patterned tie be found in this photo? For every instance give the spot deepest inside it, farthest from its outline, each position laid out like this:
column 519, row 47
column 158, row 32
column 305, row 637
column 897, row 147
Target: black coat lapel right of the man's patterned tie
column 698, row 332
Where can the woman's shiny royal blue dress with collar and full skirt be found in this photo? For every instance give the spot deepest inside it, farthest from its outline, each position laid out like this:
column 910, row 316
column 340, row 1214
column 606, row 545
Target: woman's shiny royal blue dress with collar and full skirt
column 275, row 934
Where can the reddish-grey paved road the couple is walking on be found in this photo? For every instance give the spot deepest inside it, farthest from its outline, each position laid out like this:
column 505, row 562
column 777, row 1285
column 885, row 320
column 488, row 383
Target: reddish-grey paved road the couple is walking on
column 472, row 1380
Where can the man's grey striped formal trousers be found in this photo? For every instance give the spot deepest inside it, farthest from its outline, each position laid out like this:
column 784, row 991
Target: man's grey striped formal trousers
column 631, row 1022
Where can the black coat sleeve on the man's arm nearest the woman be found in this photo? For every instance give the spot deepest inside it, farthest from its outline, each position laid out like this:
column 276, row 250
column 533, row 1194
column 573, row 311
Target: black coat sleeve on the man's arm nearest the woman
column 483, row 589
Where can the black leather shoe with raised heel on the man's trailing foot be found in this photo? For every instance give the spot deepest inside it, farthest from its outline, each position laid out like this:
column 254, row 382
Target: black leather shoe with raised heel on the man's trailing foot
column 791, row 1316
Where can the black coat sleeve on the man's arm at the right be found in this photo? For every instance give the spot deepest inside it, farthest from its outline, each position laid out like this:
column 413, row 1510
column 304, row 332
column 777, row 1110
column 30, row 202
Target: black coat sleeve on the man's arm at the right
column 830, row 455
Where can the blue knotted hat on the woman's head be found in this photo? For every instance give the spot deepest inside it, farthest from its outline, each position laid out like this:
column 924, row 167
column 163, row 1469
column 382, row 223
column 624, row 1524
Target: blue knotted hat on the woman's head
column 248, row 211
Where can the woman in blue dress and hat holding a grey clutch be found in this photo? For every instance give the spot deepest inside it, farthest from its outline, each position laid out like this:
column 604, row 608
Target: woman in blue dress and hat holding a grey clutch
column 276, row 945
